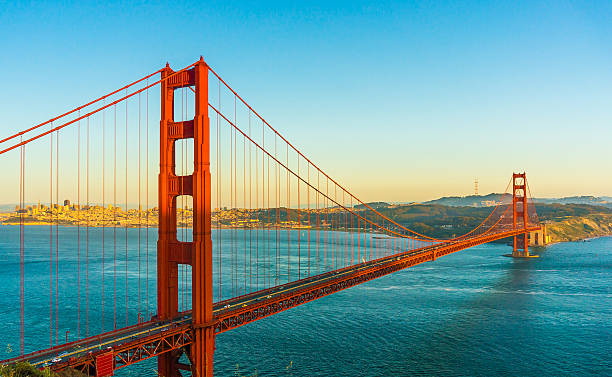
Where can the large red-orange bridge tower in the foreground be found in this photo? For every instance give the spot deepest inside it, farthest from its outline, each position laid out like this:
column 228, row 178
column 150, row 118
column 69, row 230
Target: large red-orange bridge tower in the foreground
column 170, row 251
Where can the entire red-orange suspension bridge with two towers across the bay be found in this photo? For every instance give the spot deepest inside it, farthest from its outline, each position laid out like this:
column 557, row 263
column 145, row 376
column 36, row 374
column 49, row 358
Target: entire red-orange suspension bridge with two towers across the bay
column 244, row 226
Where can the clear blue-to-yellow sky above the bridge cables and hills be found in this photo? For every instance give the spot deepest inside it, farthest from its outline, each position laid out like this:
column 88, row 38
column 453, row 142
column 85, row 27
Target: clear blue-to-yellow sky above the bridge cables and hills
column 397, row 100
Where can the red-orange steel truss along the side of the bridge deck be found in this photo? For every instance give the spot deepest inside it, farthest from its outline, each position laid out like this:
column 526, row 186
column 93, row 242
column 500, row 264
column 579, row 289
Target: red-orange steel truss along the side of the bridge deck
column 181, row 336
